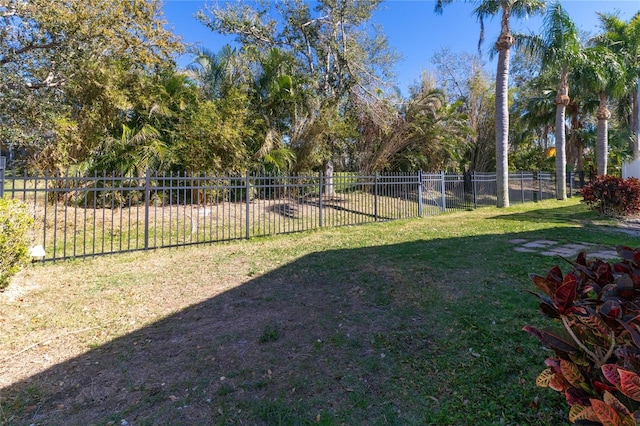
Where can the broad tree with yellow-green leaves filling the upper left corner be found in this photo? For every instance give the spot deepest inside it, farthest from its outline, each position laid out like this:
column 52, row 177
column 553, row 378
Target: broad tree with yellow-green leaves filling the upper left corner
column 51, row 51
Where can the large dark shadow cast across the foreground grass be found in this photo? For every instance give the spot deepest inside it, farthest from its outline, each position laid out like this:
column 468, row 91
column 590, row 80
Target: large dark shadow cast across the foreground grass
column 375, row 335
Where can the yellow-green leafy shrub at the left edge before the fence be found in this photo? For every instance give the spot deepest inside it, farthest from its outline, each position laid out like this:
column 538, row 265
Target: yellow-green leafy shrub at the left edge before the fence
column 15, row 222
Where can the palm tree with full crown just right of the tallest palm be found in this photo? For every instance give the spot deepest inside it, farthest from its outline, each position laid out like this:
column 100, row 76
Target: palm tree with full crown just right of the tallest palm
column 558, row 48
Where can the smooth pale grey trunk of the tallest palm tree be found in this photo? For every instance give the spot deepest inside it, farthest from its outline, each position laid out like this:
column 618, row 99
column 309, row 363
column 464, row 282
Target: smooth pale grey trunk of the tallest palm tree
column 502, row 127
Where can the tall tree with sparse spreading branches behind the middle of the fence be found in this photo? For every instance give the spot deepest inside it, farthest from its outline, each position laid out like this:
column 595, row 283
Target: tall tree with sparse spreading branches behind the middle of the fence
column 337, row 53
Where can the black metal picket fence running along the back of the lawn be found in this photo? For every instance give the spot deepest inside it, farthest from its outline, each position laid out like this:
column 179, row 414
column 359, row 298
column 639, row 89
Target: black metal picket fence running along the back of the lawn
column 80, row 216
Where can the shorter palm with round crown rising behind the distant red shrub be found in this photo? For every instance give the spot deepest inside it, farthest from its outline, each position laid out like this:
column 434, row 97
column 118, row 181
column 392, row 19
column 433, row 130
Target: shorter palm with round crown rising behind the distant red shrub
column 602, row 74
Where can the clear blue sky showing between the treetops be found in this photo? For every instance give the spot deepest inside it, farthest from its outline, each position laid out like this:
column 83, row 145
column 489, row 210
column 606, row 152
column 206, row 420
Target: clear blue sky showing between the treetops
column 412, row 27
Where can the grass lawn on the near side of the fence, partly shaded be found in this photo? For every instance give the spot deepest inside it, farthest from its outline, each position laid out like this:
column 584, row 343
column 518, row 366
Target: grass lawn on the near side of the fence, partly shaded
column 412, row 322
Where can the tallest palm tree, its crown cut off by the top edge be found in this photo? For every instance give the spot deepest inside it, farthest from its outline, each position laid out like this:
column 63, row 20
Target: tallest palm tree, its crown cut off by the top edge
column 509, row 8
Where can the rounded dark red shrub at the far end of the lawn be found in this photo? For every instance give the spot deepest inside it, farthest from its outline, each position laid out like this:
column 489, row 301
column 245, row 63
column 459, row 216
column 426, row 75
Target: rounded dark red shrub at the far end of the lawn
column 613, row 196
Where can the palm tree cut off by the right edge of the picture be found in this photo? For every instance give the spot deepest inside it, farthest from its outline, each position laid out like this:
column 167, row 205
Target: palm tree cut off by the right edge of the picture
column 623, row 38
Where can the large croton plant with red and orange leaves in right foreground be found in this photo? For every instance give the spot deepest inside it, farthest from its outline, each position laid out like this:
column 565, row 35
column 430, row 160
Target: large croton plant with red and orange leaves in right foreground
column 596, row 339
